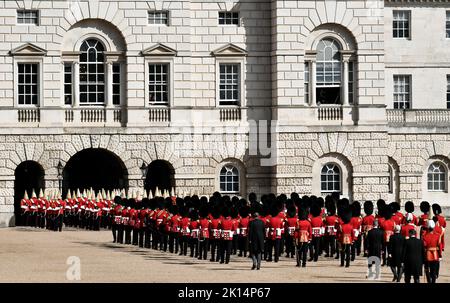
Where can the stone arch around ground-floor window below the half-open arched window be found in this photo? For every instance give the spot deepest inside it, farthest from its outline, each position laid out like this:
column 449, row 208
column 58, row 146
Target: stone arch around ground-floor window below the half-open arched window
column 346, row 170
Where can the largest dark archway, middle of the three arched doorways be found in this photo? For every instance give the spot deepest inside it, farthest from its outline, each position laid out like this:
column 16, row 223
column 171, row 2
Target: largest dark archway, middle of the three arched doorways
column 94, row 167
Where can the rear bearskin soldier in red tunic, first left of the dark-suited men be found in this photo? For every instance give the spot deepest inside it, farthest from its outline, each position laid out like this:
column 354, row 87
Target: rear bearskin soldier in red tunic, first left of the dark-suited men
column 346, row 236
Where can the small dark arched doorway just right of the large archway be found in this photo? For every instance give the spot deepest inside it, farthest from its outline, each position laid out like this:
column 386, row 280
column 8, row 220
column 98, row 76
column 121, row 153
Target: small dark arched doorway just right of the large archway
column 160, row 173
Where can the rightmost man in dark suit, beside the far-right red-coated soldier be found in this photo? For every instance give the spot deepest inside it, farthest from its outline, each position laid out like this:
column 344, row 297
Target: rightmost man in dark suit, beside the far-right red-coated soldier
column 413, row 257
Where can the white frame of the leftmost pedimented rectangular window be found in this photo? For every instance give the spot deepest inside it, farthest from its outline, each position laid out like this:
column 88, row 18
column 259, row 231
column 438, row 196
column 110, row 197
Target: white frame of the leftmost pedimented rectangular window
column 32, row 60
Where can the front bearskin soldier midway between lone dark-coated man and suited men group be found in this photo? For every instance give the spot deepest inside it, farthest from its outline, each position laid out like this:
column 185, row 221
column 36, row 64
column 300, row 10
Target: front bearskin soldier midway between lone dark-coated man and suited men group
column 303, row 236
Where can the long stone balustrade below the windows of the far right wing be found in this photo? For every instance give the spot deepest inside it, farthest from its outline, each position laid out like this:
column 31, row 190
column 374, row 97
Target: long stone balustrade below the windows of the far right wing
column 424, row 117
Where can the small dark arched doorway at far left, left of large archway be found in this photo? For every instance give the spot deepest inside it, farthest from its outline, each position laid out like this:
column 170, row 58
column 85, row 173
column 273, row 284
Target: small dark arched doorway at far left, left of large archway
column 29, row 176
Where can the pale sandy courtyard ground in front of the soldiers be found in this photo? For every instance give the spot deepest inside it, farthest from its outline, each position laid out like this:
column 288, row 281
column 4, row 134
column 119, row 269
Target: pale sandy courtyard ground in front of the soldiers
column 32, row 255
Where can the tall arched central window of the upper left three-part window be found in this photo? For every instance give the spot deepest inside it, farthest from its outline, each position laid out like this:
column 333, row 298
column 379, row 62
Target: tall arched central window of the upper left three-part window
column 92, row 73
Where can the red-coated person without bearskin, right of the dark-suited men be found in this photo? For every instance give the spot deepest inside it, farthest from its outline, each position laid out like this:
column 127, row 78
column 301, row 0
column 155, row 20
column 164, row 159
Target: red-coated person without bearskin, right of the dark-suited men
column 433, row 251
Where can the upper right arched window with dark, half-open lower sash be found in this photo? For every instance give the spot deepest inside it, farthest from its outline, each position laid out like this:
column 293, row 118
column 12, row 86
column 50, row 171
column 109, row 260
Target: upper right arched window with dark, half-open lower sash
column 328, row 72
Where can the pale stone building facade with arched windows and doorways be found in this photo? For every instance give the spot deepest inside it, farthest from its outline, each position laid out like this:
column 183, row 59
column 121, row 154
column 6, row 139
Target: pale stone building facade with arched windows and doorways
column 237, row 96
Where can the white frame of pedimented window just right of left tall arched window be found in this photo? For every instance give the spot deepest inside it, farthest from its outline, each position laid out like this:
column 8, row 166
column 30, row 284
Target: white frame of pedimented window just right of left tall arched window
column 159, row 60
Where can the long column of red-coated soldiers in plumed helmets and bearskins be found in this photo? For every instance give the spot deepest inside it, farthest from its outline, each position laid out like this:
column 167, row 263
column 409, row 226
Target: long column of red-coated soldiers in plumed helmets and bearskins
column 218, row 226
